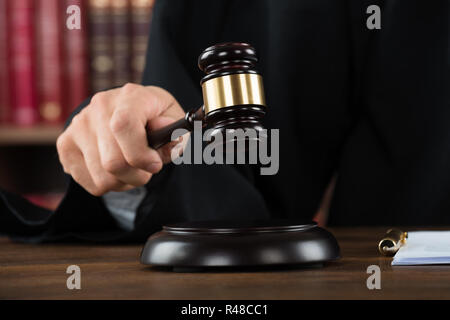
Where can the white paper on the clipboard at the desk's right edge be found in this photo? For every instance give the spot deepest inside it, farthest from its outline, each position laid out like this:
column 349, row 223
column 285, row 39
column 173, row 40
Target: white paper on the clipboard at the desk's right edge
column 424, row 247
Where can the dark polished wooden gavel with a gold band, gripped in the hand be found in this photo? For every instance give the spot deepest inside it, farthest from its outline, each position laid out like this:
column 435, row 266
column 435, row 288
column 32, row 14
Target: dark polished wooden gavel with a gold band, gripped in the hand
column 233, row 94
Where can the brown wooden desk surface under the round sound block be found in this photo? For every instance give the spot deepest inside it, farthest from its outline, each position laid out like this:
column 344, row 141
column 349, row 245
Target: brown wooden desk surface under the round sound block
column 114, row 272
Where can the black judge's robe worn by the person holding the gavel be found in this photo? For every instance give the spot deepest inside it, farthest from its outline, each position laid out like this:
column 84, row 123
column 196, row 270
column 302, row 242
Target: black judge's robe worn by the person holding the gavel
column 369, row 105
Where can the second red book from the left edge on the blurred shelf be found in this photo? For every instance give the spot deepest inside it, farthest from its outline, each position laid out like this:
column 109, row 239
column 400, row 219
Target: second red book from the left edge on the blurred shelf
column 21, row 53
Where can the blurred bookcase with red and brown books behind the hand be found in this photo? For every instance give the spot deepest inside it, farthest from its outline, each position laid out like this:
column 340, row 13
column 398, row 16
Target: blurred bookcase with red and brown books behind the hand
column 47, row 69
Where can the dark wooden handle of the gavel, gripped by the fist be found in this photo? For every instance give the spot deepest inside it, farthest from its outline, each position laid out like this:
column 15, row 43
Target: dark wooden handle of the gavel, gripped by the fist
column 158, row 138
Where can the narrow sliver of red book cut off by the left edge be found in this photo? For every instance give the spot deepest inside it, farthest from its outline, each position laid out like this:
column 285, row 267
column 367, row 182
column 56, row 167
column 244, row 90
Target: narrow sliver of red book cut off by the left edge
column 4, row 78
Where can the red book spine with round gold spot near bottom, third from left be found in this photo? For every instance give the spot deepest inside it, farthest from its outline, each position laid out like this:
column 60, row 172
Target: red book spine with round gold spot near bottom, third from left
column 49, row 60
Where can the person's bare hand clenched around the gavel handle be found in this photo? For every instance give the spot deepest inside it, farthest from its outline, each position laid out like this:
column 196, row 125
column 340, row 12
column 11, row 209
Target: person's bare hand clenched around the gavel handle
column 105, row 147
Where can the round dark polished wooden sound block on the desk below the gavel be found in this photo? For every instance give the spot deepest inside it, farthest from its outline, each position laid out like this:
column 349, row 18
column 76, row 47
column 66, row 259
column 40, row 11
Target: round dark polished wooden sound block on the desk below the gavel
column 194, row 246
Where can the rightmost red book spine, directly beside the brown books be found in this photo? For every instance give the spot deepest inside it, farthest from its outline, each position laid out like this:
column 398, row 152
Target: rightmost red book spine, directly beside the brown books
column 76, row 56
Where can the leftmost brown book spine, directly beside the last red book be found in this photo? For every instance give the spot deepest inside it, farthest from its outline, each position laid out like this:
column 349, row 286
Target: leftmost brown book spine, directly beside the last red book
column 100, row 44
